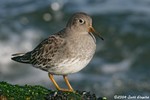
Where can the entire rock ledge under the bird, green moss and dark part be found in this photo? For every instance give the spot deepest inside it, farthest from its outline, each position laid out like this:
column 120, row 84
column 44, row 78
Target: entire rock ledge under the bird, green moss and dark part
column 28, row 92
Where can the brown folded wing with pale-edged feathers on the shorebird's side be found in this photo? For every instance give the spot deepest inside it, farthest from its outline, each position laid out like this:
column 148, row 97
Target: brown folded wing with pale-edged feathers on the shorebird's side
column 46, row 50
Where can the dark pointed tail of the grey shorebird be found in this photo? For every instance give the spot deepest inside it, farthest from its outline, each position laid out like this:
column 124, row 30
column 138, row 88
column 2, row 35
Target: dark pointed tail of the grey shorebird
column 21, row 57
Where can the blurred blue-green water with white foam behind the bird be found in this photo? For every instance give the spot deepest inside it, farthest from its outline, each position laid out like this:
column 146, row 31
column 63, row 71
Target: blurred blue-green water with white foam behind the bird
column 121, row 64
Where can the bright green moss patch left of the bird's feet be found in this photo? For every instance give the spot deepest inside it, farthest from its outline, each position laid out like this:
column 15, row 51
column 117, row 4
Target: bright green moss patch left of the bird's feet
column 22, row 92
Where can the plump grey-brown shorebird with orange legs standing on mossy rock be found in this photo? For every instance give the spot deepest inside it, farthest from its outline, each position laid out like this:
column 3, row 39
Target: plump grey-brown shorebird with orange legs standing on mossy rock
column 66, row 51
